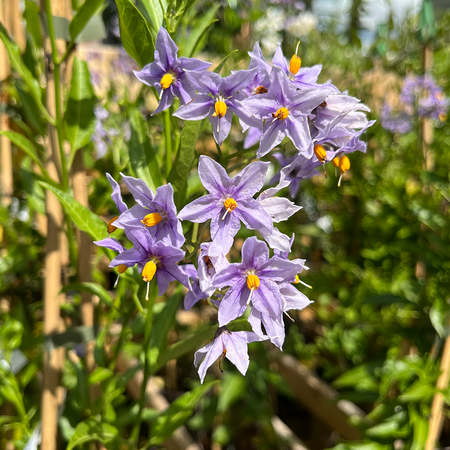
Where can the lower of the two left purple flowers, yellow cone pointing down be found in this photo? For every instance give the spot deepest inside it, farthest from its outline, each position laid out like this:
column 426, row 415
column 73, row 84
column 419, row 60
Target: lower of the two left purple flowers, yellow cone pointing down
column 153, row 258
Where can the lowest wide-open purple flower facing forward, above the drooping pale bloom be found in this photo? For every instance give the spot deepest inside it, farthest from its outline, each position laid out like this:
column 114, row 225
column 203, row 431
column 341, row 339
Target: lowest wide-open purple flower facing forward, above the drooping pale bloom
column 254, row 282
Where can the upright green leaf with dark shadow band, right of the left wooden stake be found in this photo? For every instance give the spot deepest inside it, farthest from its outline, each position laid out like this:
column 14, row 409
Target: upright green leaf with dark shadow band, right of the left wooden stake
column 79, row 116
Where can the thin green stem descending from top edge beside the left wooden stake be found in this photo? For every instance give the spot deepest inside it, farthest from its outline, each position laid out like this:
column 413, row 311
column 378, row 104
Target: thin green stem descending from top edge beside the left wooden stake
column 57, row 82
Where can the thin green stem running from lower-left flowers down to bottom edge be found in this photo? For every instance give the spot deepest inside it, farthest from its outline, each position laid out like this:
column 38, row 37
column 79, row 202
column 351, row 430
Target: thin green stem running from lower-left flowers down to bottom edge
column 147, row 346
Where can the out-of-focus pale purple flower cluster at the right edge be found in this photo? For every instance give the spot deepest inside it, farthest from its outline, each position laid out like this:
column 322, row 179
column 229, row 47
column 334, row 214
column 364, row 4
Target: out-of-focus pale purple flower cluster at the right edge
column 420, row 97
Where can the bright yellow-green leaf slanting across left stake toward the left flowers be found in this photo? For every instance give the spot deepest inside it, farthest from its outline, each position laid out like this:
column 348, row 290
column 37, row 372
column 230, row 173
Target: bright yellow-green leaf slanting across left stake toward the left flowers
column 83, row 217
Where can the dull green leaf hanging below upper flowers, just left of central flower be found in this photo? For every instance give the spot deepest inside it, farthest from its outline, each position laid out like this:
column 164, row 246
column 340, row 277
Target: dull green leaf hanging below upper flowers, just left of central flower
column 185, row 157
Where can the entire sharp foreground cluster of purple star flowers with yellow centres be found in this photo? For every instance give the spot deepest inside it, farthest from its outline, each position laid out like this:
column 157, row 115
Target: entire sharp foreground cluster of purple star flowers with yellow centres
column 272, row 102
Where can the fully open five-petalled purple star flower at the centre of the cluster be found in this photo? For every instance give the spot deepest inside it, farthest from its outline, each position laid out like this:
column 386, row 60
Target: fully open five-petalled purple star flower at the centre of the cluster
column 230, row 201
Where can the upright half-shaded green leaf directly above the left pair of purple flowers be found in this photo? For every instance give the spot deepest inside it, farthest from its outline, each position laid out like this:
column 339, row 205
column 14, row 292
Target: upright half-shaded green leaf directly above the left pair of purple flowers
column 142, row 154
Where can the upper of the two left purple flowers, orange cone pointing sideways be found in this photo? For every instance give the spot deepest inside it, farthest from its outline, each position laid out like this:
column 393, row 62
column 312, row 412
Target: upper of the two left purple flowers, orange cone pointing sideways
column 157, row 213
